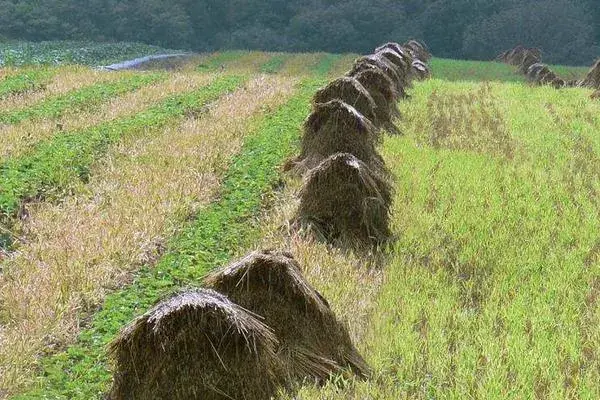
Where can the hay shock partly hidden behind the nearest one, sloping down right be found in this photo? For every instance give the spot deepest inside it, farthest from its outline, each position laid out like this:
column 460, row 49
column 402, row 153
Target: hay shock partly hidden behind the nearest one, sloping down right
column 313, row 344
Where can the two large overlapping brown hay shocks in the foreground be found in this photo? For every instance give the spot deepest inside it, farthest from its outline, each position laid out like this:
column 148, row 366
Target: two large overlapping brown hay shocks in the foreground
column 259, row 329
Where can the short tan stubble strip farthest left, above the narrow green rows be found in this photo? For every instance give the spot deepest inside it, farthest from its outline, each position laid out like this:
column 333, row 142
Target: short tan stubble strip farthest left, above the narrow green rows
column 65, row 80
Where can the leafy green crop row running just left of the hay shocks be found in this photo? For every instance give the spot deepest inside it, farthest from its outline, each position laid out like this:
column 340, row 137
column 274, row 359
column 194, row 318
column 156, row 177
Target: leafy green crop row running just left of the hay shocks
column 220, row 231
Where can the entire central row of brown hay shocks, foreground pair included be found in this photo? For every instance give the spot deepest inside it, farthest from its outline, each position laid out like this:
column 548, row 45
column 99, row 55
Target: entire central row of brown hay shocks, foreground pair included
column 260, row 328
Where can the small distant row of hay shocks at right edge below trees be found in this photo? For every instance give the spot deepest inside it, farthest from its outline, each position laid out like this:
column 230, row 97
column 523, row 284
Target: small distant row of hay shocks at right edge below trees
column 529, row 63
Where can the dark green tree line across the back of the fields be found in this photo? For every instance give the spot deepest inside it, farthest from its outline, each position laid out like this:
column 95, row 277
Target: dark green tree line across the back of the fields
column 568, row 31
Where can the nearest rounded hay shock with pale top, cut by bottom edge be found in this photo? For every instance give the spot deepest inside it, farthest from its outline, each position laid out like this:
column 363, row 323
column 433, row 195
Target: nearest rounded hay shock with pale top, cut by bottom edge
column 196, row 345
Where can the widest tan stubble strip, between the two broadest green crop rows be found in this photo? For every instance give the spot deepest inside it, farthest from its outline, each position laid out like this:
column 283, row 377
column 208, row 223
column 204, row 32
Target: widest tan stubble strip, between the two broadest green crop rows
column 119, row 221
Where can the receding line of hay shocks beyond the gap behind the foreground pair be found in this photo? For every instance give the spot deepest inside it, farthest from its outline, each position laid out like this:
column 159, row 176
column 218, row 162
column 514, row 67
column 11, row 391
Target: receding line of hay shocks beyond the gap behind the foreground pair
column 346, row 196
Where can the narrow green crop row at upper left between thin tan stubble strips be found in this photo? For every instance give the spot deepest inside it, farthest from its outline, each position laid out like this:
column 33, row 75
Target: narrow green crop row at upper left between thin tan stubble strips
column 78, row 100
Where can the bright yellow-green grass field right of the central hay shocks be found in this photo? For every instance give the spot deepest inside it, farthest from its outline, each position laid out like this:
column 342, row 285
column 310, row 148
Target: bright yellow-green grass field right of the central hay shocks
column 492, row 290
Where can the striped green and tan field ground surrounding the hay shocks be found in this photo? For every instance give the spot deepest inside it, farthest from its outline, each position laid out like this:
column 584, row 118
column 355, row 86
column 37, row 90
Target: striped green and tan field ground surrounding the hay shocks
column 491, row 289
